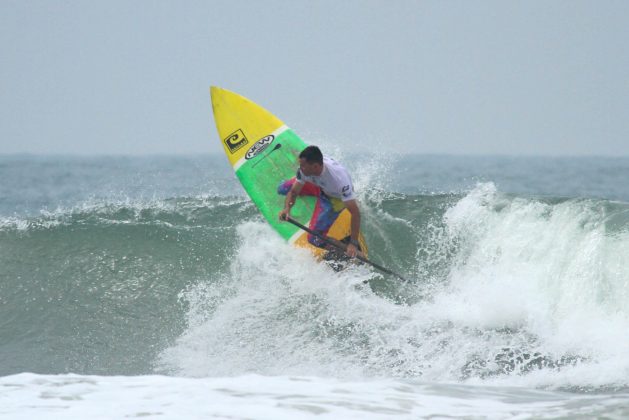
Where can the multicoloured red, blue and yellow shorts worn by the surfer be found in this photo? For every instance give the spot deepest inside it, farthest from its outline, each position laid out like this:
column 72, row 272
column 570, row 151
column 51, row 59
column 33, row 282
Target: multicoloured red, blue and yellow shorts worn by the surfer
column 326, row 211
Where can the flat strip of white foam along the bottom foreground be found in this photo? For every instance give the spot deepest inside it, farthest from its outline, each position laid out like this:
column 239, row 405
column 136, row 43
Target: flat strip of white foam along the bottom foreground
column 28, row 396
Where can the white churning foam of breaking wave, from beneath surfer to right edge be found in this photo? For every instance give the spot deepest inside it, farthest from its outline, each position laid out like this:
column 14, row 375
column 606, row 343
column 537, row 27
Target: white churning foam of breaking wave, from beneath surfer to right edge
column 533, row 297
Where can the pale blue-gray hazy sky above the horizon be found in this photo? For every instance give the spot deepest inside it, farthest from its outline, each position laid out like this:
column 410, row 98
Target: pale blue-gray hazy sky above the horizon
column 484, row 77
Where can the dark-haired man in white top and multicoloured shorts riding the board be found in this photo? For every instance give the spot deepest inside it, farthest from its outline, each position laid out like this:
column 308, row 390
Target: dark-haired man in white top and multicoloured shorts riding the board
column 330, row 182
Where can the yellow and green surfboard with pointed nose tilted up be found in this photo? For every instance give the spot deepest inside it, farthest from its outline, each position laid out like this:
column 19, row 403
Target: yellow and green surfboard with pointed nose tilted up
column 263, row 152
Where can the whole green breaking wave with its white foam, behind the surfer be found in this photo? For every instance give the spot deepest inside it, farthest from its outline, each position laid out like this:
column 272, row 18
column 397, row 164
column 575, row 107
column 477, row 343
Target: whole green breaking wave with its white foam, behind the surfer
column 504, row 290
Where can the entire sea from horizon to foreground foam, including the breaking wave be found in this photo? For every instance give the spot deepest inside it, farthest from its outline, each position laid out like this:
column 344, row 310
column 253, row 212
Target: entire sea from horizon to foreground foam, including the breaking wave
column 151, row 287
